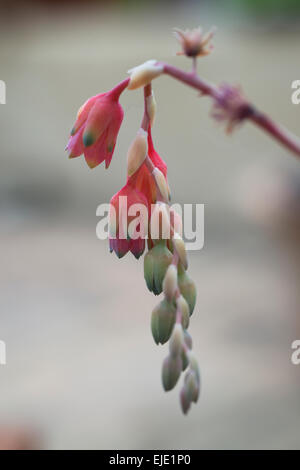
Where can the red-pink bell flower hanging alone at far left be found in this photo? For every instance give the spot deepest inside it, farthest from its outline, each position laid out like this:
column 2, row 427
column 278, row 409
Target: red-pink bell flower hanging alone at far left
column 96, row 128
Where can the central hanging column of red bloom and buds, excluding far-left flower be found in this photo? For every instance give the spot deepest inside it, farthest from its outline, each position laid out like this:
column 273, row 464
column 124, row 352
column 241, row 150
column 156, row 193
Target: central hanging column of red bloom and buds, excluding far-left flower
column 165, row 263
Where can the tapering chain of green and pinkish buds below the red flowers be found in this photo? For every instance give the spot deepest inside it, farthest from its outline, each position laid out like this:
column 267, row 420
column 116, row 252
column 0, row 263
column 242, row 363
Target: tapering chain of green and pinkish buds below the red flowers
column 165, row 272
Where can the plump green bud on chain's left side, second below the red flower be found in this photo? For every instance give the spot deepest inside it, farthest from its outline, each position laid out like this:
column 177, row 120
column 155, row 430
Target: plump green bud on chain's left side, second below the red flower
column 162, row 321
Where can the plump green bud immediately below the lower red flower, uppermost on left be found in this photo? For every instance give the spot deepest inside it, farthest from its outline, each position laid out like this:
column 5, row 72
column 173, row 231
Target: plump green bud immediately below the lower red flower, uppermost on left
column 156, row 263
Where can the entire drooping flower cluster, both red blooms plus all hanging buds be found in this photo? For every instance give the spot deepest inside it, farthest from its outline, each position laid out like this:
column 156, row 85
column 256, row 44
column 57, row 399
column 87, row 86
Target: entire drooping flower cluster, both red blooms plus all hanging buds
column 157, row 228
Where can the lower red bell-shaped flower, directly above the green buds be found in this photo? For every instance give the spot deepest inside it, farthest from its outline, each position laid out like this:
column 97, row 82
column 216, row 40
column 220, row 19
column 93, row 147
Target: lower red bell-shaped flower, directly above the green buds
column 128, row 221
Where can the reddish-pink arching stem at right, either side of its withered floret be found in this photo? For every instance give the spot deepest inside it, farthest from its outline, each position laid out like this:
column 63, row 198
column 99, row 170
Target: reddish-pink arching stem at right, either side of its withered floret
column 281, row 134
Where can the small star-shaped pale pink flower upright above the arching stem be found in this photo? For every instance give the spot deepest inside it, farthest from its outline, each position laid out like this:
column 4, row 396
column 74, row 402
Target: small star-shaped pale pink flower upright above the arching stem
column 193, row 42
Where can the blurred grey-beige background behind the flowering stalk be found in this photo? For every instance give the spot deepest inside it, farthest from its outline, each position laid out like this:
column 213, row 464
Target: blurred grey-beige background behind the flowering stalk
column 82, row 368
